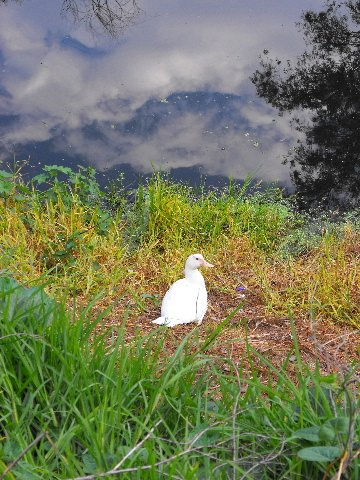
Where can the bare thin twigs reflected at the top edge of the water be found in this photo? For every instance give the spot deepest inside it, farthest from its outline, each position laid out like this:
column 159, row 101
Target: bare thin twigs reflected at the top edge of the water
column 111, row 15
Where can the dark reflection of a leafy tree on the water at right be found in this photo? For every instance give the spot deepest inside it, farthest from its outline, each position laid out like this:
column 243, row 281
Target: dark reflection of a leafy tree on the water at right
column 324, row 85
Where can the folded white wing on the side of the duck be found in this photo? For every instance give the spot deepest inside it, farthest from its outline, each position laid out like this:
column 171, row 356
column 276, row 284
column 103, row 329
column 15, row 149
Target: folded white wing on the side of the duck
column 179, row 303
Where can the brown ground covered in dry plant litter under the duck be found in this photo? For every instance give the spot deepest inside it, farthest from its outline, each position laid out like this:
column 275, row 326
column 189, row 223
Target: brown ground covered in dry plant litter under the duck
column 333, row 347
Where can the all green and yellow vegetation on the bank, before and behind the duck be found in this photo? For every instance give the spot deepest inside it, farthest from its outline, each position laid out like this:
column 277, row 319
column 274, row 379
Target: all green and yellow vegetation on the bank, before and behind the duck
column 80, row 401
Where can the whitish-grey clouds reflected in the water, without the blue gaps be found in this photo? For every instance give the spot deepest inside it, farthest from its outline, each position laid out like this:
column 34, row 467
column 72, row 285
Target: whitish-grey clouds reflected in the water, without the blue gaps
column 182, row 49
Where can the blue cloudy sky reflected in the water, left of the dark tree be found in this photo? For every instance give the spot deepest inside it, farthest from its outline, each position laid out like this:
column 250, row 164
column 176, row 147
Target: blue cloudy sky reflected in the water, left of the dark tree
column 172, row 91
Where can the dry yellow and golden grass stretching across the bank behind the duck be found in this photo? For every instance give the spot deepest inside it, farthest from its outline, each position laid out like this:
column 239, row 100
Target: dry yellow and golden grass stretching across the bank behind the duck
column 61, row 246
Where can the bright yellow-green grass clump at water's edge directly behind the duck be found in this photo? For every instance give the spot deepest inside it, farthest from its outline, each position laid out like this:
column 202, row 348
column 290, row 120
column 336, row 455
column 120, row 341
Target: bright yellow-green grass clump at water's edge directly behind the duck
column 173, row 215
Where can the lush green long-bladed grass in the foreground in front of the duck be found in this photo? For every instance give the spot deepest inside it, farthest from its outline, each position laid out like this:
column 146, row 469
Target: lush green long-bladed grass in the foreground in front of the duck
column 92, row 402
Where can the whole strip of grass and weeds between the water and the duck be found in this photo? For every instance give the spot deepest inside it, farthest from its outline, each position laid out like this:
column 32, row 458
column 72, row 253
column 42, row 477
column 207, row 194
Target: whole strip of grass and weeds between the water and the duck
column 132, row 245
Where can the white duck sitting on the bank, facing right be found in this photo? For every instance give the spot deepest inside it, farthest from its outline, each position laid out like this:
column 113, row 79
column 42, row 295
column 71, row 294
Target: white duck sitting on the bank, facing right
column 186, row 299
